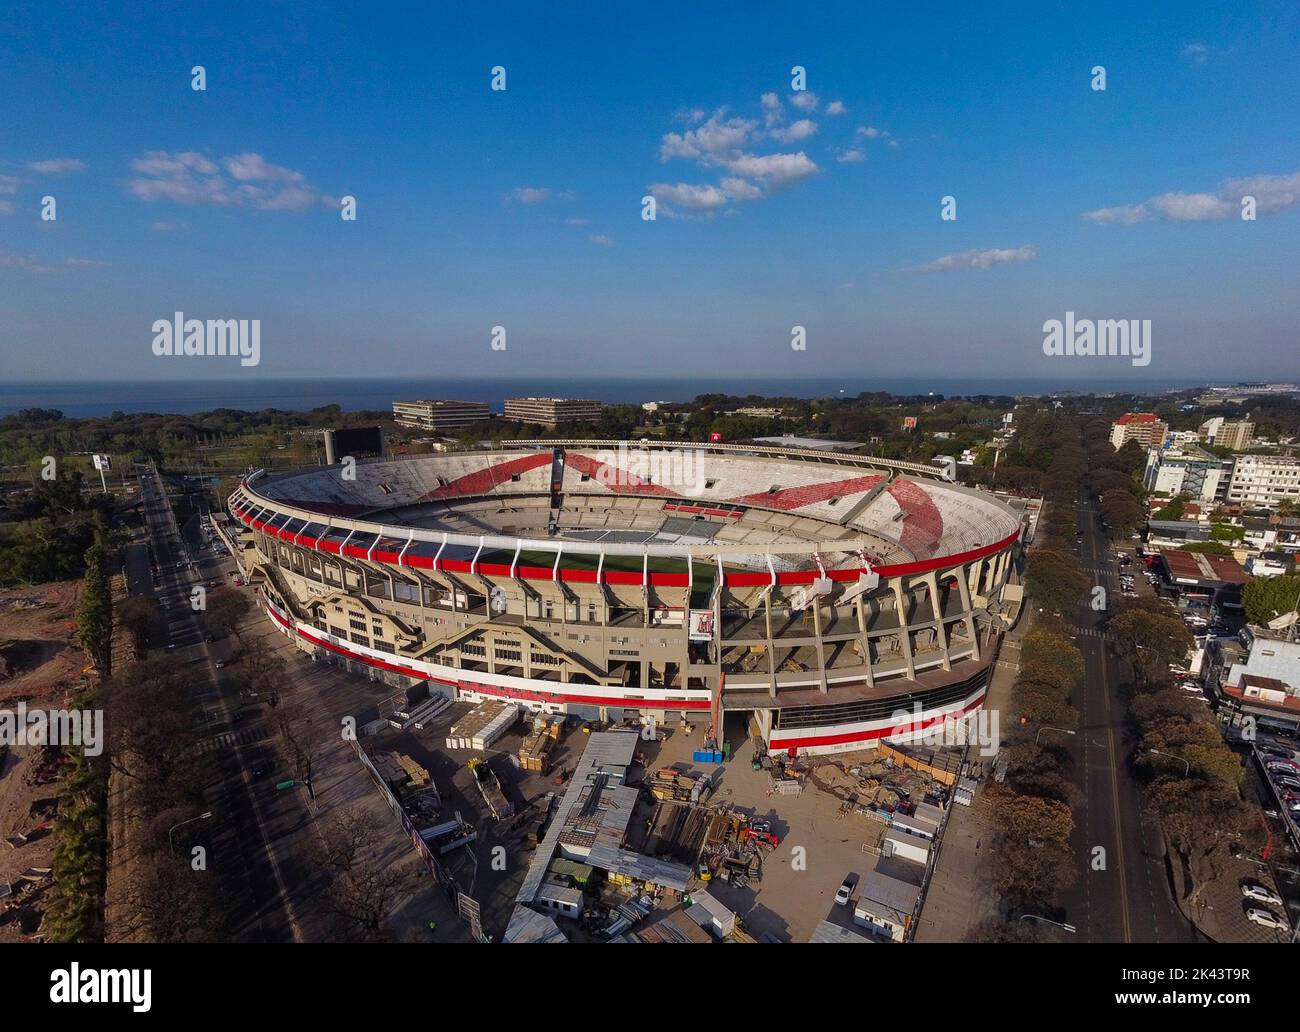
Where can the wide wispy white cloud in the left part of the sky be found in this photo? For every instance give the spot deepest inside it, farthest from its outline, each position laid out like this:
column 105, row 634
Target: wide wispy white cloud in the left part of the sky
column 188, row 177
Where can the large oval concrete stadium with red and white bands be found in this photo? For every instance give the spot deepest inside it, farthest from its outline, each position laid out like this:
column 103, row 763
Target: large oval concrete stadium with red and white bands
column 821, row 601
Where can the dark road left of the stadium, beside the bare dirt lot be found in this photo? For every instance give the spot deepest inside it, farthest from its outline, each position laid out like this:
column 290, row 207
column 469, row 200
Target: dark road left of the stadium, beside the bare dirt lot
column 254, row 825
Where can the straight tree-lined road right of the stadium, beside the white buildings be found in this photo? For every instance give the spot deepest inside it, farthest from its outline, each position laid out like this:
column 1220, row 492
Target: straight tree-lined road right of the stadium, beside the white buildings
column 1124, row 892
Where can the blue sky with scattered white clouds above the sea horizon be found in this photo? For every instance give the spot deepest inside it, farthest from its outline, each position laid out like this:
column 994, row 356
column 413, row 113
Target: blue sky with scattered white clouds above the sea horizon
column 523, row 209
